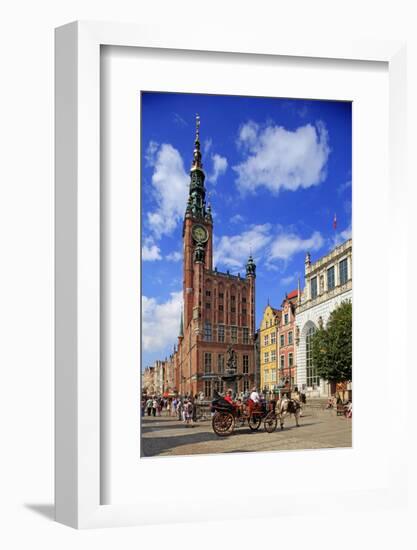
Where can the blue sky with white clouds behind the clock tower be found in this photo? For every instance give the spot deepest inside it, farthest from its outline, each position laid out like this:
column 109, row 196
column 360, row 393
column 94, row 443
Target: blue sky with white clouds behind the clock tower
column 277, row 171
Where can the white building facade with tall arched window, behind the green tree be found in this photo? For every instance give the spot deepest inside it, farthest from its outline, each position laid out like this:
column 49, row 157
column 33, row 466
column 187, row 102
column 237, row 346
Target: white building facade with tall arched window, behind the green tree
column 328, row 282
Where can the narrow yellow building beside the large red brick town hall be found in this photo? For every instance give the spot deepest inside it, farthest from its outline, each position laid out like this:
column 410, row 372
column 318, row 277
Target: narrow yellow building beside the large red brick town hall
column 269, row 348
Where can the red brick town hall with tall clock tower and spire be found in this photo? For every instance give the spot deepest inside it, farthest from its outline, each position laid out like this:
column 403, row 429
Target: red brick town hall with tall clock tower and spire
column 219, row 308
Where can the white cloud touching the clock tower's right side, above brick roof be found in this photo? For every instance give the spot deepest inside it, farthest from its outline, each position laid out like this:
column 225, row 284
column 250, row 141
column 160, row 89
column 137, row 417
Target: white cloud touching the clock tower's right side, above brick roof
column 233, row 251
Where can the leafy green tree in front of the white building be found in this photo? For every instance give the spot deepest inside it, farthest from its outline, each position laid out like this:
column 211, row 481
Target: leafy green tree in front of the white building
column 332, row 346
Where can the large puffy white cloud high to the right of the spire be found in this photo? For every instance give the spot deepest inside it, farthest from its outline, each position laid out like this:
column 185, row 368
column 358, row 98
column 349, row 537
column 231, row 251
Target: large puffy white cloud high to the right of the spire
column 277, row 158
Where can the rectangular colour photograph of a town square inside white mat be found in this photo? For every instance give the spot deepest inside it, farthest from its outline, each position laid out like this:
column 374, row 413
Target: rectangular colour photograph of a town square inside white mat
column 246, row 274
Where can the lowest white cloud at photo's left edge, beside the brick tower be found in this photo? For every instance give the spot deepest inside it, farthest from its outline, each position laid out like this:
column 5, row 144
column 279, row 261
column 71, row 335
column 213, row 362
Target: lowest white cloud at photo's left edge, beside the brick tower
column 160, row 322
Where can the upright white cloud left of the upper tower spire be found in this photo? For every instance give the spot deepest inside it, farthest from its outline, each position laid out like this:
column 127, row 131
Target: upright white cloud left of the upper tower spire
column 170, row 188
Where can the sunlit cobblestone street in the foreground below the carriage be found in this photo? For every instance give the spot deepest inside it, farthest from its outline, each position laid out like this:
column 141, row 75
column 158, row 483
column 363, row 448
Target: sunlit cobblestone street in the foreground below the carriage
column 164, row 436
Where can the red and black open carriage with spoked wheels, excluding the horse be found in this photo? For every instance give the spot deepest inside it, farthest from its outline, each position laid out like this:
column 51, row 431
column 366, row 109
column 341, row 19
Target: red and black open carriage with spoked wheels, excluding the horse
column 227, row 416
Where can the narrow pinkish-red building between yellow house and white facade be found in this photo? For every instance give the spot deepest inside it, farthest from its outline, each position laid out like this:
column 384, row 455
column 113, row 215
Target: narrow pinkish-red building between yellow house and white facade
column 286, row 338
